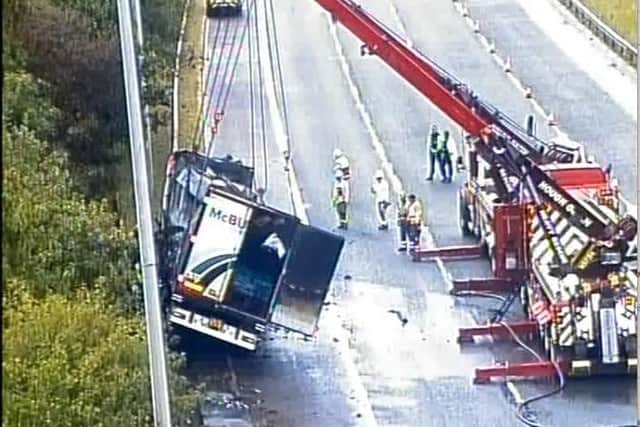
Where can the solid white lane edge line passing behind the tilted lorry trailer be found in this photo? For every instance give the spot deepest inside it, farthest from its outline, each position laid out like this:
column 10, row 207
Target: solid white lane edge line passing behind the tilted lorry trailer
column 331, row 317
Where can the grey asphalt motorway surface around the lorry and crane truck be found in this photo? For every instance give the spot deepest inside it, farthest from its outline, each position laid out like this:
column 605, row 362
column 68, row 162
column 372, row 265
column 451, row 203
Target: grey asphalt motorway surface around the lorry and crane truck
column 365, row 367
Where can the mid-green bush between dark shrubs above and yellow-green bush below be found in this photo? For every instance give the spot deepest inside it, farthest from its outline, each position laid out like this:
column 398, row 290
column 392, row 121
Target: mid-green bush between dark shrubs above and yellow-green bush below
column 53, row 237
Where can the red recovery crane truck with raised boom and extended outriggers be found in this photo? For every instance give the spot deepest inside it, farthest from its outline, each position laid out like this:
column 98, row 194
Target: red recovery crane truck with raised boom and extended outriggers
column 549, row 220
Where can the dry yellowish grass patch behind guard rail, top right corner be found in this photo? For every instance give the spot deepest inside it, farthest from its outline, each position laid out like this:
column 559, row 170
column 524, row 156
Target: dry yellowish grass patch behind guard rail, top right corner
column 620, row 14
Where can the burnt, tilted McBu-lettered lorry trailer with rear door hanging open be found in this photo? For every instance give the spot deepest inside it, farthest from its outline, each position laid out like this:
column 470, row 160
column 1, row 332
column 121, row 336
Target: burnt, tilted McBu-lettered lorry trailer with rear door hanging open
column 235, row 266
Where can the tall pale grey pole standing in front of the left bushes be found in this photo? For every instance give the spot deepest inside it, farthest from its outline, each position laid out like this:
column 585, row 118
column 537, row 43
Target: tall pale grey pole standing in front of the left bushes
column 155, row 338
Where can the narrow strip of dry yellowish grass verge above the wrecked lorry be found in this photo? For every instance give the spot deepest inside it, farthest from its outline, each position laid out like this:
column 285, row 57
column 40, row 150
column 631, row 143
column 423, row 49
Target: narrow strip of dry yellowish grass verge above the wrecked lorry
column 191, row 64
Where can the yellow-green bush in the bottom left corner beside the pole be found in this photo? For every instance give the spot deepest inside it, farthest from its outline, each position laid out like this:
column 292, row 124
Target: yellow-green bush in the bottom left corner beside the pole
column 76, row 361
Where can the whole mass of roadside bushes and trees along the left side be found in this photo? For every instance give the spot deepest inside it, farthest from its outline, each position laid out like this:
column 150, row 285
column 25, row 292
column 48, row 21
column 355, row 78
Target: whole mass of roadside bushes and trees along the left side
column 74, row 341
